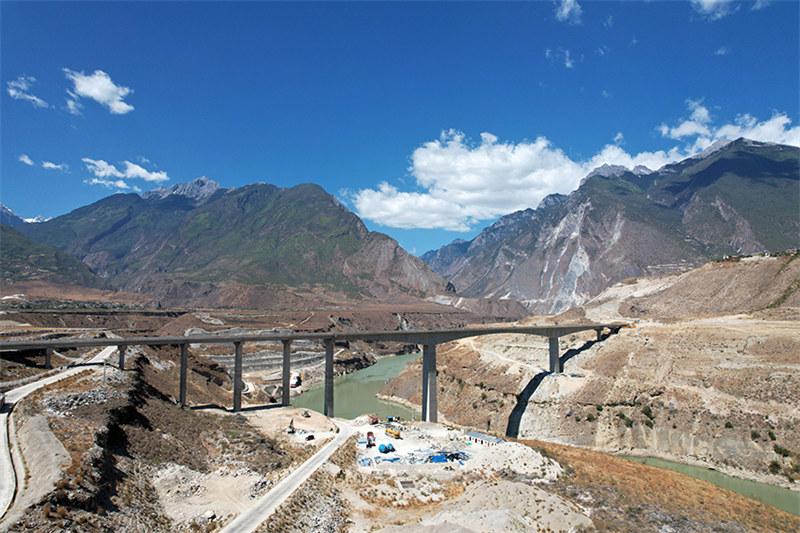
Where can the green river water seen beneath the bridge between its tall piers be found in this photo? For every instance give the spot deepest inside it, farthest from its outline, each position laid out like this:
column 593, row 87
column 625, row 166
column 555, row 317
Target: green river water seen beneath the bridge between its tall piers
column 354, row 393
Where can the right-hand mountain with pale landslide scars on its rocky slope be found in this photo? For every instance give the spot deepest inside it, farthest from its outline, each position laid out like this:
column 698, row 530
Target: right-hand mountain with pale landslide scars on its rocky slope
column 739, row 197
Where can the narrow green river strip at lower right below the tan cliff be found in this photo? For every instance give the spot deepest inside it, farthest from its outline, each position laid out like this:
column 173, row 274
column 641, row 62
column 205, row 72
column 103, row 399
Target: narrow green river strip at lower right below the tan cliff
column 779, row 497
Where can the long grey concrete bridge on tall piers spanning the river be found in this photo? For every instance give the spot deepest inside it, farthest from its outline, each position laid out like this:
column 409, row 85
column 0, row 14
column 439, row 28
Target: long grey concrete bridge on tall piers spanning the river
column 427, row 338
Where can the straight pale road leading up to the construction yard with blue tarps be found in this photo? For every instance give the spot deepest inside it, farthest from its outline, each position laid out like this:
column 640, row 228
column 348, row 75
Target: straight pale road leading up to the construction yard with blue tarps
column 249, row 520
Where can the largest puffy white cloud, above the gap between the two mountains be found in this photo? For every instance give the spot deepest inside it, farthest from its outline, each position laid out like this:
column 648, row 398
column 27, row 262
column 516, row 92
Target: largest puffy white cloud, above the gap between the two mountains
column 465, row 182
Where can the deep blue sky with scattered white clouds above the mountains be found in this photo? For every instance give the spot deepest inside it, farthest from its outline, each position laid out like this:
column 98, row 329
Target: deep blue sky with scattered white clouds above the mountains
column 429, row 120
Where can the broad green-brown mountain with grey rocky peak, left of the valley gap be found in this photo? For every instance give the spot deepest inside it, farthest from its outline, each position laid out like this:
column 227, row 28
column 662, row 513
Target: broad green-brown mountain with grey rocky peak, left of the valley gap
column 200, row 244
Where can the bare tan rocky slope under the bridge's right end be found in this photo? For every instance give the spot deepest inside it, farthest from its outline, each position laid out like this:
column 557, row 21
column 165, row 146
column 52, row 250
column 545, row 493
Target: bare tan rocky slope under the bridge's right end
column 695, row 380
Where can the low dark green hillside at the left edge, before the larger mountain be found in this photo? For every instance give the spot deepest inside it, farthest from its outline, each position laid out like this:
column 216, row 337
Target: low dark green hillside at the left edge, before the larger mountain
column 24, row 260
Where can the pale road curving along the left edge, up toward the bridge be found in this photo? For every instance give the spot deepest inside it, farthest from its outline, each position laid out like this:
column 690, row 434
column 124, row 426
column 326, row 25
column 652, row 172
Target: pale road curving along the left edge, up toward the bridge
column 8, row 479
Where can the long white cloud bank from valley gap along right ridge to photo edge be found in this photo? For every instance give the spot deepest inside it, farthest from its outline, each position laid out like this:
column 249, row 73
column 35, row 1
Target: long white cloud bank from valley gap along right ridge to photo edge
column 460, row 182
